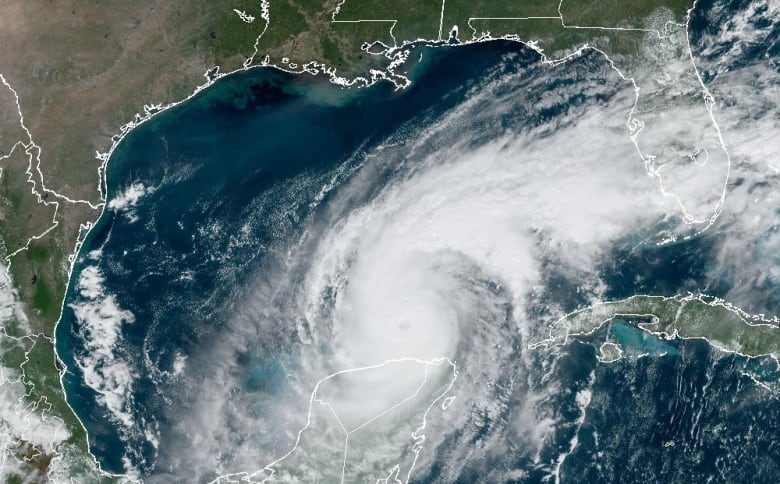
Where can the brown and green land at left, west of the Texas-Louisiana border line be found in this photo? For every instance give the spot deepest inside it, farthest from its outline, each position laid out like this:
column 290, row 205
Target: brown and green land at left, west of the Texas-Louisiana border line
column 73, row 73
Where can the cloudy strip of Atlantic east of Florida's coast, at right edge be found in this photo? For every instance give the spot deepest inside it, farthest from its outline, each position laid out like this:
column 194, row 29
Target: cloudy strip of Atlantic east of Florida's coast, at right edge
column 739, row 58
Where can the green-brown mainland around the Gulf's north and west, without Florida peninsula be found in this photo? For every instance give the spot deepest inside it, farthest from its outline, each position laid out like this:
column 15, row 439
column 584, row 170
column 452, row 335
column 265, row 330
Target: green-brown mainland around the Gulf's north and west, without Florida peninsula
column 84, row 68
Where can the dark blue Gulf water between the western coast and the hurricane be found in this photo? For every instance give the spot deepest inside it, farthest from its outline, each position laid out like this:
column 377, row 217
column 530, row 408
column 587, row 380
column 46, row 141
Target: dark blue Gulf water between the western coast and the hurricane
column 199, row 198
